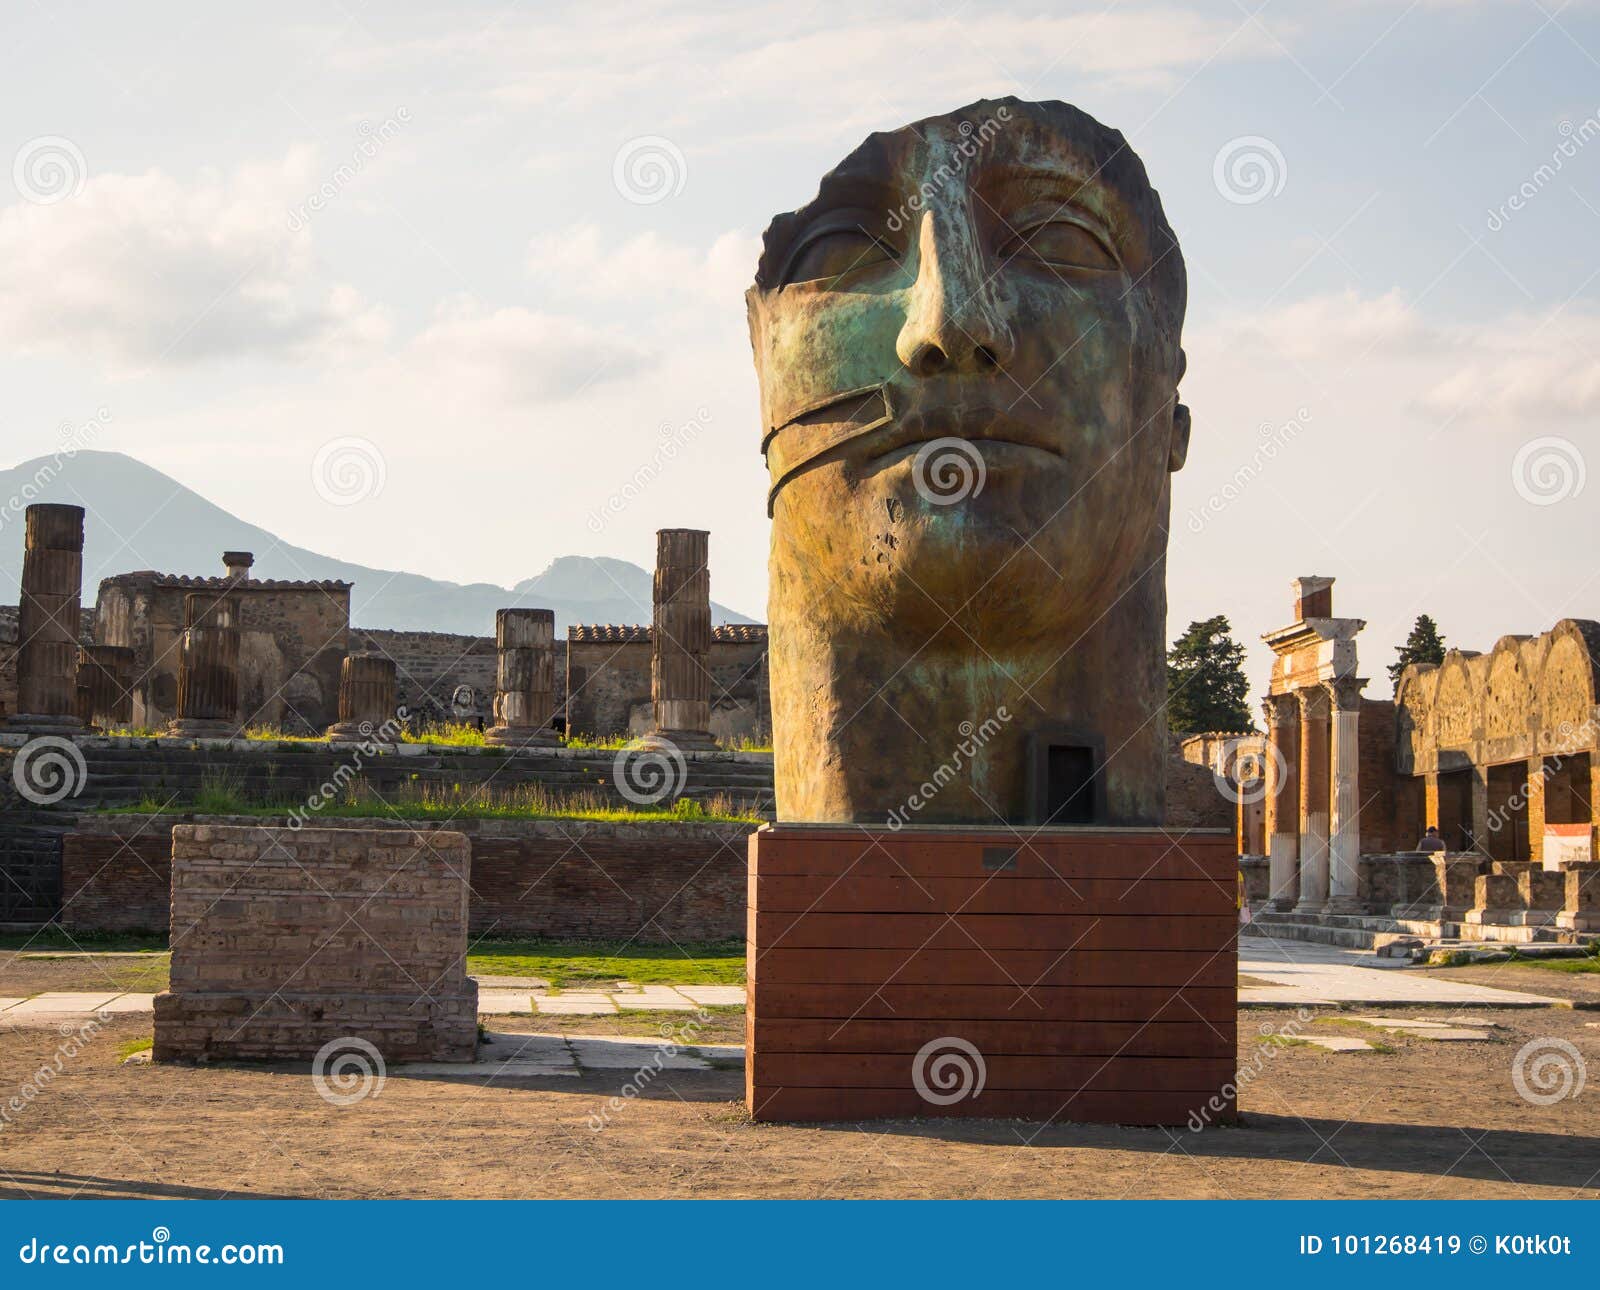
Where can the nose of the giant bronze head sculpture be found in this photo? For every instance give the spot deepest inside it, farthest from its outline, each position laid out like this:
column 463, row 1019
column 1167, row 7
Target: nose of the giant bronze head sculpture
column 954, row 322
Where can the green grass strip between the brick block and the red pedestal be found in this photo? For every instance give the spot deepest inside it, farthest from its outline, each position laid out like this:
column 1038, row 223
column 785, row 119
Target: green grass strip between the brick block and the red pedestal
column 567, row 964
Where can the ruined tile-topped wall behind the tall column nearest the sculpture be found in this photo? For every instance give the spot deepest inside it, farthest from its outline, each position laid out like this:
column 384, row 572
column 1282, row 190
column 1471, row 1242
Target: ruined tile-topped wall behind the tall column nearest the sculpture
column 609, row 681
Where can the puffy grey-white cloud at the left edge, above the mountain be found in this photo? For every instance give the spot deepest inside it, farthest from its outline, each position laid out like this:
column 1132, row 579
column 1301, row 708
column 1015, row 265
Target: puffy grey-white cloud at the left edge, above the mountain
column 145, row 271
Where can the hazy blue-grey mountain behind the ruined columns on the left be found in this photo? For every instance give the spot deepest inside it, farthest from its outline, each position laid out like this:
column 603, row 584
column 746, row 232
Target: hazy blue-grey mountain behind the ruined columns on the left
column 142, row 519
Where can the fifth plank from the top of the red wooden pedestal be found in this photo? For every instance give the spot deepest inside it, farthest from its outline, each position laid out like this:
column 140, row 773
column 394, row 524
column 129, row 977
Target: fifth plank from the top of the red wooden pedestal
column 774, row 1003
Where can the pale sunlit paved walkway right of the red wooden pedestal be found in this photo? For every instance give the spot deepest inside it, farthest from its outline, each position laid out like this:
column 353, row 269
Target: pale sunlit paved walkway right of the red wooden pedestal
column 1311, row 976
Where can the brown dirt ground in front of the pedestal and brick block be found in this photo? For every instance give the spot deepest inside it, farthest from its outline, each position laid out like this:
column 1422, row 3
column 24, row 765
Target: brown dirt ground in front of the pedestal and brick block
column 1425, row 1120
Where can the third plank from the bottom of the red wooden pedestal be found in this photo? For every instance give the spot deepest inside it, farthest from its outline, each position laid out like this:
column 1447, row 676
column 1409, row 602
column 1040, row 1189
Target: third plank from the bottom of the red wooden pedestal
column 1023, row 1038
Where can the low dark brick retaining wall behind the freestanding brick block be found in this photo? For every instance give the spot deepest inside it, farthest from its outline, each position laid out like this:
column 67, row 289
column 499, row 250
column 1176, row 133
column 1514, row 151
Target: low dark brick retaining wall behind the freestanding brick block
column 545, row 878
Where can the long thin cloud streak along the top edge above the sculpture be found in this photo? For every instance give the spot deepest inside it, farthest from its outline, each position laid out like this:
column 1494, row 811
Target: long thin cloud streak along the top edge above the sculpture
column 750, row 68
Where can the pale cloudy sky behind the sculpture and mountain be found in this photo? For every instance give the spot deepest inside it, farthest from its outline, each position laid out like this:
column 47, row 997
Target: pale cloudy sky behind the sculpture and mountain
column 458, row 289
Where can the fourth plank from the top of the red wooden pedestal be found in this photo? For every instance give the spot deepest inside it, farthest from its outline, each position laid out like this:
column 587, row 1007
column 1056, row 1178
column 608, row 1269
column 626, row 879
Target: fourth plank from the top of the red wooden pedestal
column 1020, row 969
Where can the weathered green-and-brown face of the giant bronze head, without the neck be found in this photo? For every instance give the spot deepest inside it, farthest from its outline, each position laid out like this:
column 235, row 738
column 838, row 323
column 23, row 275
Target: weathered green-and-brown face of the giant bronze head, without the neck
column 969, row 361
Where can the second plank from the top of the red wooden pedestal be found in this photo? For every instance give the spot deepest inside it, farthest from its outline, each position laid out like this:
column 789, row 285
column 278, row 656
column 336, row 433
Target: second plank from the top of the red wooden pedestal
column 999, row 894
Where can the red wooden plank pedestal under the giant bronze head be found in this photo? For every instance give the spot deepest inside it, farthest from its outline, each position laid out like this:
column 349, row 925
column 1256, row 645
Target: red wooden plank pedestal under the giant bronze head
column 1044, row 974
